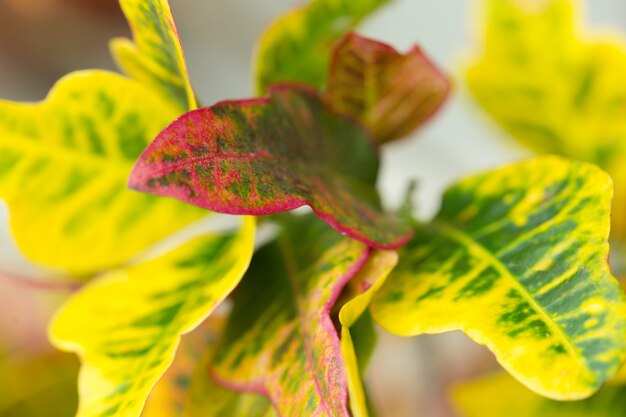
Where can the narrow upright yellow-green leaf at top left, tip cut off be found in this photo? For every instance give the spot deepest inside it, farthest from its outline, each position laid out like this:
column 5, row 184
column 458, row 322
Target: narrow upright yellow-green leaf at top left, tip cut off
column 156, row 57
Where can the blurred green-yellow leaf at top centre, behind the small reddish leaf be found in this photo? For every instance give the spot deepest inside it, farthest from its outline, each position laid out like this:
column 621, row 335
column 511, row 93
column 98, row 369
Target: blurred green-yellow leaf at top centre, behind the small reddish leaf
column 297, row 46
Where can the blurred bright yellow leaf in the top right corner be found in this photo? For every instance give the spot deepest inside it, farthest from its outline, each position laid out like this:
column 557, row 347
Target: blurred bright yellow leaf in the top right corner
column 552, row 88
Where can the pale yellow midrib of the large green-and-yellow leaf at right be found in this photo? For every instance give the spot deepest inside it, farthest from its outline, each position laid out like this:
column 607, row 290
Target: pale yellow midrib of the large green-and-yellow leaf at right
column 468, row 241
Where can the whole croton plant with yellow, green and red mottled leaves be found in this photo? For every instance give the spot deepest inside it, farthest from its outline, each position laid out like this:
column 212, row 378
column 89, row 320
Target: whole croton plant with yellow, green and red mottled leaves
column 148, row 203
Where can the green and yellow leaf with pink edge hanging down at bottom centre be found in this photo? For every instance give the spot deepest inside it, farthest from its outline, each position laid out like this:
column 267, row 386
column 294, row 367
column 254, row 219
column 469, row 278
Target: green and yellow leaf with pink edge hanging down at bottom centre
column 280, row 339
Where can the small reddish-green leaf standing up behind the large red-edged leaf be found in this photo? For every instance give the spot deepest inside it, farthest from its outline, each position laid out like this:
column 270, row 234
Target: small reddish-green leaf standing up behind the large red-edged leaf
column 390, row 93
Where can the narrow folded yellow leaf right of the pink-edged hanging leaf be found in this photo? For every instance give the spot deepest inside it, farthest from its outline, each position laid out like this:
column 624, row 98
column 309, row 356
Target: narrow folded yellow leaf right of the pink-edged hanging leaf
column 361, row 290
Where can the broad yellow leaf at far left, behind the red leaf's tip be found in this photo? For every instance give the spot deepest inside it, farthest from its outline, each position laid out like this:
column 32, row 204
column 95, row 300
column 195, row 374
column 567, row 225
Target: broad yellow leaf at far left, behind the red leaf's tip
column 64, row 164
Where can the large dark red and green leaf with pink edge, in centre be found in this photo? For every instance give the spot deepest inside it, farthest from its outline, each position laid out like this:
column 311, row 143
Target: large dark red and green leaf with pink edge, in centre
column 269, row 155
